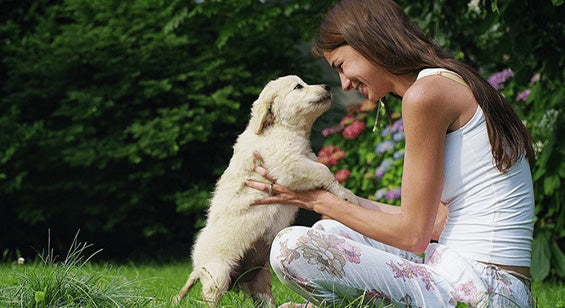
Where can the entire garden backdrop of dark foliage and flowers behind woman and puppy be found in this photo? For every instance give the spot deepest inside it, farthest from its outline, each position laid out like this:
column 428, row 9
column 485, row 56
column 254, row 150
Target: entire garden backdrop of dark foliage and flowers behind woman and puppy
column 117, row 117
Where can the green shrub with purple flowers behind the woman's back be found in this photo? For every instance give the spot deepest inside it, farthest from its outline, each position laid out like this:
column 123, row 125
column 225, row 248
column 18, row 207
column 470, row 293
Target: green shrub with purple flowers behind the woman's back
column 538, row 102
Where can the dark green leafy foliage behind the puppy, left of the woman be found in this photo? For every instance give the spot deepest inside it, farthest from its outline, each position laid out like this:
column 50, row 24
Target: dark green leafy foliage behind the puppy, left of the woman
column 118, row 116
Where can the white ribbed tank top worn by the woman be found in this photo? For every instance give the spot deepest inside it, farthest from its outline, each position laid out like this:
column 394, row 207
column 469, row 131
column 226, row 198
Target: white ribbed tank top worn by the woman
column 491, row 214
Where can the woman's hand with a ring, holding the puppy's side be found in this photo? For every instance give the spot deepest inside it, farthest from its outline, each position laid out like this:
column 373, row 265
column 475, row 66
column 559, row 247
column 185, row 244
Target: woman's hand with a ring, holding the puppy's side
column 308, row 200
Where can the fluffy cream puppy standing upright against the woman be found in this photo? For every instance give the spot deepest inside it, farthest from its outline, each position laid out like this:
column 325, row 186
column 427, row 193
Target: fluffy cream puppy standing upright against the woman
column 232, row 250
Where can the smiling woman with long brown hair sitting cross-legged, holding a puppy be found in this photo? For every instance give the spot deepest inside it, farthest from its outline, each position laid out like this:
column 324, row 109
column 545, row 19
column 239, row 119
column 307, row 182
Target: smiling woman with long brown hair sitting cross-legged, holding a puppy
column 466, row 157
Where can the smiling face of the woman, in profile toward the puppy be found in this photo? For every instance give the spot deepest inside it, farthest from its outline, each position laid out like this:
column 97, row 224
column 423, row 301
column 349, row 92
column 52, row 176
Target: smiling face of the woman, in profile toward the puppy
column 356, row 72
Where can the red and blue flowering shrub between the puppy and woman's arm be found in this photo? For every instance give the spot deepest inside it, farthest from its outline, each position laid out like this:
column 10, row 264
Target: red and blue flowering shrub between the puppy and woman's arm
column 369, row 163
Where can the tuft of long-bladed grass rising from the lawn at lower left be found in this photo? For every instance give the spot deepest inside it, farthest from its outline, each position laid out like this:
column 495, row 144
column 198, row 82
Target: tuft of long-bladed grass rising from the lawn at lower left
column 70, row 282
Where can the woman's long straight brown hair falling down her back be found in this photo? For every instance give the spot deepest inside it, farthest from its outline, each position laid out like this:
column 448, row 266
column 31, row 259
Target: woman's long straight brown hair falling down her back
column 385, row 35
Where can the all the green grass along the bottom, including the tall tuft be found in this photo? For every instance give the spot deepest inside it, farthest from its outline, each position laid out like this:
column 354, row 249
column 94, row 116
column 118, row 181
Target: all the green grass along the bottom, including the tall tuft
column 76, row 282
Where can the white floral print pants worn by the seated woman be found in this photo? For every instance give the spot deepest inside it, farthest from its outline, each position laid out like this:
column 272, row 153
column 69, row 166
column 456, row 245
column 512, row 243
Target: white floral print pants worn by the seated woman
column 332, row 265
